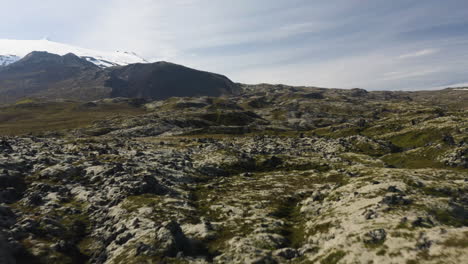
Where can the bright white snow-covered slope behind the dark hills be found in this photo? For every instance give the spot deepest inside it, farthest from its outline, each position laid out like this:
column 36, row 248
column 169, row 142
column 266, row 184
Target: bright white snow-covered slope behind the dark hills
column 13, row 50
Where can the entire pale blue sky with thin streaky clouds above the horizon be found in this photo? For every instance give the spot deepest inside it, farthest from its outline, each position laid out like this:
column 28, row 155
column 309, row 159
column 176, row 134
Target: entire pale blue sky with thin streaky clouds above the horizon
column 370, row 44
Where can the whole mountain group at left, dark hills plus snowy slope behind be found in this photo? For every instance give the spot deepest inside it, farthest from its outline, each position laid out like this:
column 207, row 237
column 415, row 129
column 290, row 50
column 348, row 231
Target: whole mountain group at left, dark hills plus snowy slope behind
column 79, row 76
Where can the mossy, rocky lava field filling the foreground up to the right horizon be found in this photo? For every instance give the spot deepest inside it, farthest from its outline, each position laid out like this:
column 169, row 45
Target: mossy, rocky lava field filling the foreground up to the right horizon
column 275, row 175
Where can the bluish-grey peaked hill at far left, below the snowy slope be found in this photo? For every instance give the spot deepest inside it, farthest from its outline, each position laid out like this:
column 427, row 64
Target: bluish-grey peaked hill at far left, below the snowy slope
column 41, row 74
